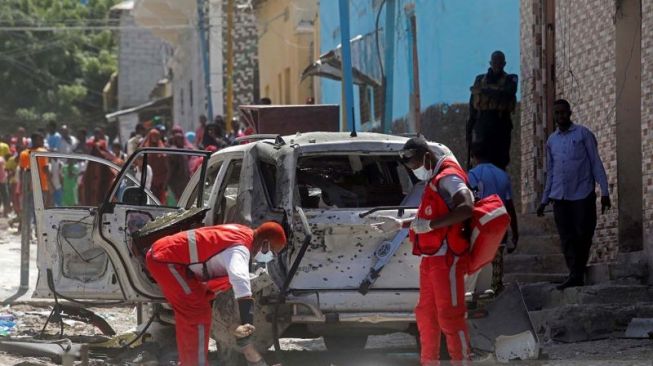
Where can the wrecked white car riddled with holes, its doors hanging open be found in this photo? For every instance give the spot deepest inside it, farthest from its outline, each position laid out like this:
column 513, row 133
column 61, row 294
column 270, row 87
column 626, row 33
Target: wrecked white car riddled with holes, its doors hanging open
column 338, row 278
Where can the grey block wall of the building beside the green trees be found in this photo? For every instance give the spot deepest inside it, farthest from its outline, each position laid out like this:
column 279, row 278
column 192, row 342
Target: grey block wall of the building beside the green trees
column 141, row 63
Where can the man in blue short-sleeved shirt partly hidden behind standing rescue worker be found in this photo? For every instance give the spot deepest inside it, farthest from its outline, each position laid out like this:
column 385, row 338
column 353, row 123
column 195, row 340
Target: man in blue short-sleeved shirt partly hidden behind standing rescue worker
column 487, row 179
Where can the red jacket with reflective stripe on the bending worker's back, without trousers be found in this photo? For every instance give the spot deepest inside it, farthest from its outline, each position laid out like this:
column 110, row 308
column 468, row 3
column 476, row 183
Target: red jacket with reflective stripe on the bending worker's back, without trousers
column 200, row 245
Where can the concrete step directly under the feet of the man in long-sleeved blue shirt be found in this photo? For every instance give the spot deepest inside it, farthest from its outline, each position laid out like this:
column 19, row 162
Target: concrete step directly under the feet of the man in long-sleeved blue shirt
column 538, row 296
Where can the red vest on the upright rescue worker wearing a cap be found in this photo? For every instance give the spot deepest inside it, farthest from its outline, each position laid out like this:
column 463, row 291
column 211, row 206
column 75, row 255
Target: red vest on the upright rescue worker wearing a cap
column 434, row 206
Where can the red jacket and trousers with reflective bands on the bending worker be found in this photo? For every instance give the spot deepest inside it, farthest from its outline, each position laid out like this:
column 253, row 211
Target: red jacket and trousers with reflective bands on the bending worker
column 168, row 261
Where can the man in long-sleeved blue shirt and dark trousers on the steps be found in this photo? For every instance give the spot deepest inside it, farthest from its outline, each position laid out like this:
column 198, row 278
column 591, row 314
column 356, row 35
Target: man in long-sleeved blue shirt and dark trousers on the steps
column 573, row 169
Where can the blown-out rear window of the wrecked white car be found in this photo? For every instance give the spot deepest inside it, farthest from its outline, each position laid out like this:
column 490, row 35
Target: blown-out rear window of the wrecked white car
column 351, row 181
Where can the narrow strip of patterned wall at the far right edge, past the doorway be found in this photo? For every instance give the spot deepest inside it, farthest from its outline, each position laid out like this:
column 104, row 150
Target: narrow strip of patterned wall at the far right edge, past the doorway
column 647, row 125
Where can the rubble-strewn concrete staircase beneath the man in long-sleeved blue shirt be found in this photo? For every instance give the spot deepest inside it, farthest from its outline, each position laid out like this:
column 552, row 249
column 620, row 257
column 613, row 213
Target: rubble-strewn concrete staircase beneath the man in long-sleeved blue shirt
column 576, row 314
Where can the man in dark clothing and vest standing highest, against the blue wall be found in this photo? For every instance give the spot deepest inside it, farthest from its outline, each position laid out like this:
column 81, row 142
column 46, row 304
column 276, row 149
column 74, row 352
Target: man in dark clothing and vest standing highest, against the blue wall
column 493, row 99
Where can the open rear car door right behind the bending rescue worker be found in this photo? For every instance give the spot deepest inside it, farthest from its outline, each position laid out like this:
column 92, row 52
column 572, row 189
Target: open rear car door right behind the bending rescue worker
column 126, row 209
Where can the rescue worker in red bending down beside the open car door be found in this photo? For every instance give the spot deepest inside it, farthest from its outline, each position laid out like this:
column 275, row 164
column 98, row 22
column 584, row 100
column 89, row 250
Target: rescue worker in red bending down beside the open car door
column 182, row 264
